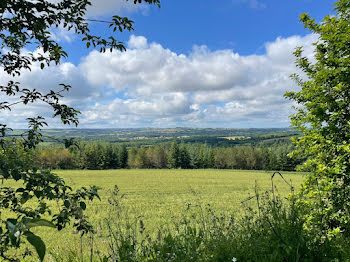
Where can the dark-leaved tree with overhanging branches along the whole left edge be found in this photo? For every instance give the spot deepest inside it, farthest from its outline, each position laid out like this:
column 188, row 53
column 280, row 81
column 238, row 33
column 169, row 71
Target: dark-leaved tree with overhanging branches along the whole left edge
column 26, row 25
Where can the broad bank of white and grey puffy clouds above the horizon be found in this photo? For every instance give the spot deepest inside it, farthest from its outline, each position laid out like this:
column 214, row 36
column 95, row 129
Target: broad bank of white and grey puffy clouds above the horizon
column 150, row 85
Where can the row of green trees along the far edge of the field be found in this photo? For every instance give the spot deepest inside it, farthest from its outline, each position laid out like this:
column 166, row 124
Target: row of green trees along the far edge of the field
column 103, row 155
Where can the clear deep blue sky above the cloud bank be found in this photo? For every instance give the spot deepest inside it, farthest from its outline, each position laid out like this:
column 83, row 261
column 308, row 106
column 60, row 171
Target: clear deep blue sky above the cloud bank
column 242, row 25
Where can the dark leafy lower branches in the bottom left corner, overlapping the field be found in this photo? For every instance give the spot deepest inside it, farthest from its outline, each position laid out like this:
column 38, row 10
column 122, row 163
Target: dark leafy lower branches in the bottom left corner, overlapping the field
column 39, row 187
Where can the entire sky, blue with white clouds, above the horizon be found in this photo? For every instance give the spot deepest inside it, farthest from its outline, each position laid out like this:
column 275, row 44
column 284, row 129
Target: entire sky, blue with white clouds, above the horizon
column 191, row 63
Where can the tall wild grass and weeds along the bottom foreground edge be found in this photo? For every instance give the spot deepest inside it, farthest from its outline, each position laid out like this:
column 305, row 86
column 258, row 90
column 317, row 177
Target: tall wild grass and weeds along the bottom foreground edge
column 270, row 228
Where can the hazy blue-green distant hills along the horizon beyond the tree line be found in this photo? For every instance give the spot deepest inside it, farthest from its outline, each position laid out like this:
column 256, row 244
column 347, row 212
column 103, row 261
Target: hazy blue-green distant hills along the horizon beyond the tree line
column 147, row 136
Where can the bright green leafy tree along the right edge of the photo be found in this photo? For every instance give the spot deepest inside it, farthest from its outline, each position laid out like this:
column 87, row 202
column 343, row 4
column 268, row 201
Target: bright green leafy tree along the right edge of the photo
column 323, row 117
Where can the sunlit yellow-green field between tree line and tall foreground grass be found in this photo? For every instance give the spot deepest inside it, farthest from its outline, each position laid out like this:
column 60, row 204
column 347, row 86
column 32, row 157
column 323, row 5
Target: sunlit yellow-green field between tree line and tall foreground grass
column 158, row 195
